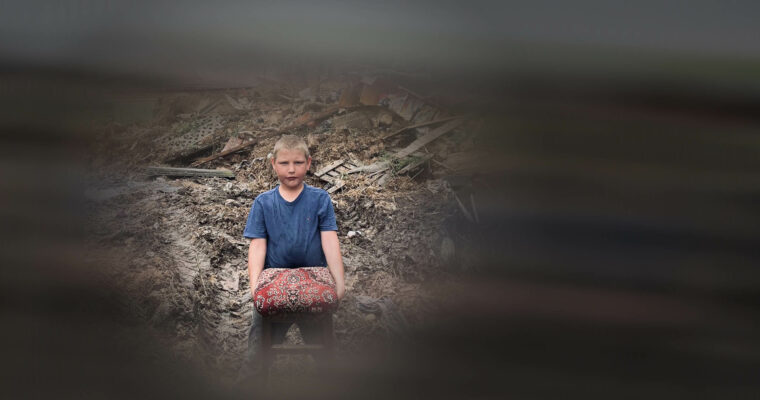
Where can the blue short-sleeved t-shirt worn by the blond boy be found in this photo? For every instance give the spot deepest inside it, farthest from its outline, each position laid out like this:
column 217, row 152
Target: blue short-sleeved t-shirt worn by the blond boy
column 292, row 228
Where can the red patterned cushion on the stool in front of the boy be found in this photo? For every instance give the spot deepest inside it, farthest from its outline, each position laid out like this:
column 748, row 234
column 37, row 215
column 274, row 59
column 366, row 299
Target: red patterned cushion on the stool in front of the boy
column 307, row 290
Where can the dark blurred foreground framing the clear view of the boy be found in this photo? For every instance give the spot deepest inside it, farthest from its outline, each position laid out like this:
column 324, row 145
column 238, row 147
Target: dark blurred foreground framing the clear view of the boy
column 616, row 254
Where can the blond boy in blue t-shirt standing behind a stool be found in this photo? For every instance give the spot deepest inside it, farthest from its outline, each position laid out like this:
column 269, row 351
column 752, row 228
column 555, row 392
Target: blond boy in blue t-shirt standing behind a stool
column 290, row 226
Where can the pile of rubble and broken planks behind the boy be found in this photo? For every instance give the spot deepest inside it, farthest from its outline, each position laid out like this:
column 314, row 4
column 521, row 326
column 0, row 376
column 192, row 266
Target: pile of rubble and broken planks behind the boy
column 177, row 237
